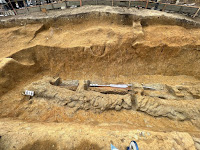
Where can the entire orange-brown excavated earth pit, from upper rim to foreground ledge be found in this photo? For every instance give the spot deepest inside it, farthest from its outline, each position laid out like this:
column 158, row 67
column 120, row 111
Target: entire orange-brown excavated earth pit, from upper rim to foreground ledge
column 157, row 54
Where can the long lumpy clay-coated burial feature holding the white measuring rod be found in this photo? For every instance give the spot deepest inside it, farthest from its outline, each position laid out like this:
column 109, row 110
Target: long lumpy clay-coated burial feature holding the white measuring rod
column 154, row 99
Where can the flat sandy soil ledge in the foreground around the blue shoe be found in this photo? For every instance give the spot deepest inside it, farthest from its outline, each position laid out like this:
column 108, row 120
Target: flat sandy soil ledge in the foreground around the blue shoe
column 22, row 135
